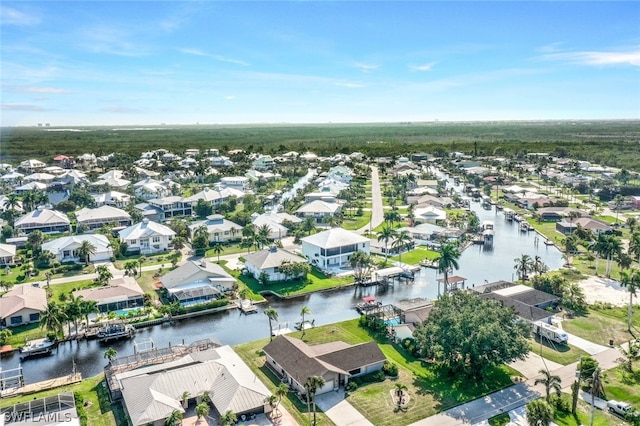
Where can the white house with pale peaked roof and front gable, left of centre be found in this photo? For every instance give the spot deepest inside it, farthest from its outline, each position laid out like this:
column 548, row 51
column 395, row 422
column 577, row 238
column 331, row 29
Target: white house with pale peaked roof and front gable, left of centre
column 147, row 237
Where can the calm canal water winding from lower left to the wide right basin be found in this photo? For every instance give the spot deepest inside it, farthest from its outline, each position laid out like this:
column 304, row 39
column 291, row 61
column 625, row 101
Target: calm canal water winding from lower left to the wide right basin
column 476, row 265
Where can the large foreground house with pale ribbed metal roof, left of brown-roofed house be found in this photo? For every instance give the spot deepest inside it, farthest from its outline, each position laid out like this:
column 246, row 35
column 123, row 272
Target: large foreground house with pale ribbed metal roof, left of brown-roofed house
column 150, row 394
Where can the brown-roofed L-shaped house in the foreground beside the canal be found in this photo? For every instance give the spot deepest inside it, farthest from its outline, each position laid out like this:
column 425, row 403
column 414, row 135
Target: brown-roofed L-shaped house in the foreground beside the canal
column 336, row 362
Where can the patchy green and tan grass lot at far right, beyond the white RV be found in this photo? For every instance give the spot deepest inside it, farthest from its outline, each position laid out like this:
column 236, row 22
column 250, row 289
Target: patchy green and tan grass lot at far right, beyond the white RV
column 602, row 323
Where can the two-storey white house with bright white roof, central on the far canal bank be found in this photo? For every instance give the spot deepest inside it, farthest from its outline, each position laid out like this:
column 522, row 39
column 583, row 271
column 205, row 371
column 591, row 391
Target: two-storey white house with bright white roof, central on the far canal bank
column 333, row 247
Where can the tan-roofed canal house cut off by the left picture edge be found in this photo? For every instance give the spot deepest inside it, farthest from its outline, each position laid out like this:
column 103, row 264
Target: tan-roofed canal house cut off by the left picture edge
column 22, row 305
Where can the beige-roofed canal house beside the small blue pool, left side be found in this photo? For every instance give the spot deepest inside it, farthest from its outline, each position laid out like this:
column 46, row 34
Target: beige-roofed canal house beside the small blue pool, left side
column 121, row 293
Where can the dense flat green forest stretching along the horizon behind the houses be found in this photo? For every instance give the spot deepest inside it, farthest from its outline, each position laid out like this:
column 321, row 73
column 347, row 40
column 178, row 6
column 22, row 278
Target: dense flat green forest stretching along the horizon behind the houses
column 614, row 143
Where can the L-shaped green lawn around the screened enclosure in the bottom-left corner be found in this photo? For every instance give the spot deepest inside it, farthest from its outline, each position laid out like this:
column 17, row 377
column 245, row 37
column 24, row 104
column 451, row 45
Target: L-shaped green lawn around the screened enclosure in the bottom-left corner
column 100, row 410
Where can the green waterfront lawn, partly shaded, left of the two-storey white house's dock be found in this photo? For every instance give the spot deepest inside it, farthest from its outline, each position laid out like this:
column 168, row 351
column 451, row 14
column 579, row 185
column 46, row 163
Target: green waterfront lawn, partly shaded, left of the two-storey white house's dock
column 316, row 281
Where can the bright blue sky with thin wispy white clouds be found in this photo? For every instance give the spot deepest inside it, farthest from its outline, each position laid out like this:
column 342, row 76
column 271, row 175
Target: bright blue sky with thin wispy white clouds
column 106, row 62
